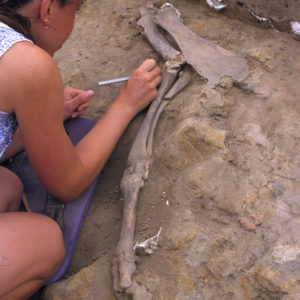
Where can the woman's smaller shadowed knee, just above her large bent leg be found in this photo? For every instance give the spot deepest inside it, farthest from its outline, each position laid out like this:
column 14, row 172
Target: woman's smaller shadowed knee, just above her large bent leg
column 11, row 190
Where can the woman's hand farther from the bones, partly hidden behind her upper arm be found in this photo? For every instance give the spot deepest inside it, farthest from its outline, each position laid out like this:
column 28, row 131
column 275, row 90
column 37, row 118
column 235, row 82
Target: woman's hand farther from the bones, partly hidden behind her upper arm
column 76, row 101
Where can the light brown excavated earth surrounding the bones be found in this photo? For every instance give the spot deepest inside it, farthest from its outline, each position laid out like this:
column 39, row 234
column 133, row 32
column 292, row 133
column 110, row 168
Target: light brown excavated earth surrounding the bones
column 224, row 184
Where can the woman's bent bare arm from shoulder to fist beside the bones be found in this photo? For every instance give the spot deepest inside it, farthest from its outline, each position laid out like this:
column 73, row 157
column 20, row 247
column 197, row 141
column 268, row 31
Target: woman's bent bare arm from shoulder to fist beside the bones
column 37, row 92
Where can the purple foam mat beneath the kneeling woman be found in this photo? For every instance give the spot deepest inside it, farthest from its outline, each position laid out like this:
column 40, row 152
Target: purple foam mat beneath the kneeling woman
column 75, row 210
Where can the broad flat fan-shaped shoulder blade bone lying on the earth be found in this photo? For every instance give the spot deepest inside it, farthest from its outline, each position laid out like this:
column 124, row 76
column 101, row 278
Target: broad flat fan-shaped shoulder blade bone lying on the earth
column 209, row 60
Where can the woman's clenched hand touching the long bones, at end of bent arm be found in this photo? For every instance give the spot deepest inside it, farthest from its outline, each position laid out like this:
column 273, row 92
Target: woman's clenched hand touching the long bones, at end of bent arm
column 140, row 89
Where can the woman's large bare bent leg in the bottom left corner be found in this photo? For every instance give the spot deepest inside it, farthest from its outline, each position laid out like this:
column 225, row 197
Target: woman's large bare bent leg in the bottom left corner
column 31, row 249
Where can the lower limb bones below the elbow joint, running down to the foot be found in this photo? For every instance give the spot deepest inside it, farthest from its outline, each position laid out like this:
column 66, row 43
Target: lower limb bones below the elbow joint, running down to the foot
column 138, row 165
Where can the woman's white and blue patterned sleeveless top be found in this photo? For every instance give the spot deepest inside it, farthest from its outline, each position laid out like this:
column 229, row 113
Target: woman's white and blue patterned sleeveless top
column 8, row 122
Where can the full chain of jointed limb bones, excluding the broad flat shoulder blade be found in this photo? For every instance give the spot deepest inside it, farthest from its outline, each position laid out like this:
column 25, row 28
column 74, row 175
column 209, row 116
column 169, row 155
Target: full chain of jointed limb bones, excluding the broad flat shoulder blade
column 138, row 165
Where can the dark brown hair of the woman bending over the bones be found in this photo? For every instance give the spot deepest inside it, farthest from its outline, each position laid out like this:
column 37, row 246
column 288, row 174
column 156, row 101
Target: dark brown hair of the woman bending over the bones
column 10, row 16
